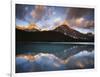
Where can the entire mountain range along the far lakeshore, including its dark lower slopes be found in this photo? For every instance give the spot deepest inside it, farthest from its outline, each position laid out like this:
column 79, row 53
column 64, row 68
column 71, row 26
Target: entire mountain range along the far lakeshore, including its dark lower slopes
column 62, row 33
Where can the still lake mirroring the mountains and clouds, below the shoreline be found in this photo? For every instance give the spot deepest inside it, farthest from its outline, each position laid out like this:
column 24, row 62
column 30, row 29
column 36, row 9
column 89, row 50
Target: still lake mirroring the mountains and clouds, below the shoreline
column 35, row 57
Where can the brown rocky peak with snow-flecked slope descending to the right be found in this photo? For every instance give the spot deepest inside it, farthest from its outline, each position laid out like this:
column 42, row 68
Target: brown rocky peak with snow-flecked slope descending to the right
column 67, row 31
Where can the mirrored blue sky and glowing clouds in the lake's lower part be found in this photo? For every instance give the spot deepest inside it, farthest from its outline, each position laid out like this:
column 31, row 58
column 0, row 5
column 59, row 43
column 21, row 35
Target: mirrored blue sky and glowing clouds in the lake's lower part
column 50, row 62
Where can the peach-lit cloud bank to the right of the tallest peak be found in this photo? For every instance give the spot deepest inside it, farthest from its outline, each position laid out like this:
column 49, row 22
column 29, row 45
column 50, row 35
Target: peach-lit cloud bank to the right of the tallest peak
column 81, row 23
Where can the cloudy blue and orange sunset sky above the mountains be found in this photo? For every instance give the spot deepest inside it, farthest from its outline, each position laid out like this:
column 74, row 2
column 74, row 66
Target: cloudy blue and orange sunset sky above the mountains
column 49, row 17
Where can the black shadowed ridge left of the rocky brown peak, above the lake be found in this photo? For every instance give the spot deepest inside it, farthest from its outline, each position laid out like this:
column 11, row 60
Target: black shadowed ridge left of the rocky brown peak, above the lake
column 38, row 36
